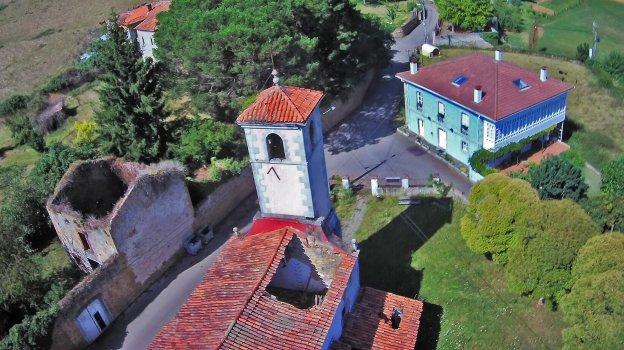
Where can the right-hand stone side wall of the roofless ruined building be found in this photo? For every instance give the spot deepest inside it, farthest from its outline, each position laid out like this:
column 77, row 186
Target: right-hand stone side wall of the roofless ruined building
column 153, row 222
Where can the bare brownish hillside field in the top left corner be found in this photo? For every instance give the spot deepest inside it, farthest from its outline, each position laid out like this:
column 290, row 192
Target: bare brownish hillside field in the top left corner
column 38, row 38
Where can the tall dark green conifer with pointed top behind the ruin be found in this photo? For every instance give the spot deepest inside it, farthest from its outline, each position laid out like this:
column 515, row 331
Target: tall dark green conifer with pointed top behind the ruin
column 132, row 117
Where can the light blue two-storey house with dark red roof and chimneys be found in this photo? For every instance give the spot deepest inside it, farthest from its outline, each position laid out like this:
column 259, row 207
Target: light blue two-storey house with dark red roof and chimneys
column 475, row 101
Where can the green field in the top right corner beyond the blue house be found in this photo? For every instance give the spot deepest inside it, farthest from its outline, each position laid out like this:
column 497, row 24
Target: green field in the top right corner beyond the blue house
column 572, row 25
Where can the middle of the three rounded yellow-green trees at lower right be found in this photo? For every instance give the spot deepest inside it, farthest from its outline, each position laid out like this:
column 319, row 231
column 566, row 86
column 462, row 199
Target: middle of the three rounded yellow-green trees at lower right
column 541, row 254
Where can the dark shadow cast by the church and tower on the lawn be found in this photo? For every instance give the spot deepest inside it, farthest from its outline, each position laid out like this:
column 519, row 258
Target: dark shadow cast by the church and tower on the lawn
column 386, row 257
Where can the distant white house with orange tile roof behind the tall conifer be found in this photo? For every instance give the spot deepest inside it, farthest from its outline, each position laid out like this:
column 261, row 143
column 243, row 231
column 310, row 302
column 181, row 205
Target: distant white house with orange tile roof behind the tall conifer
column 141, row 24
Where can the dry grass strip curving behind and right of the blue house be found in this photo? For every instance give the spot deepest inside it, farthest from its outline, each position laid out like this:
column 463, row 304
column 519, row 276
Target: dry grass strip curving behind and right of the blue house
column 595, row 126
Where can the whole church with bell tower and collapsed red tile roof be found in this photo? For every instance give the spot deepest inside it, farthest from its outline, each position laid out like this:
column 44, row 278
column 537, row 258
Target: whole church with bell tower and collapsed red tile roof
column 288, row 283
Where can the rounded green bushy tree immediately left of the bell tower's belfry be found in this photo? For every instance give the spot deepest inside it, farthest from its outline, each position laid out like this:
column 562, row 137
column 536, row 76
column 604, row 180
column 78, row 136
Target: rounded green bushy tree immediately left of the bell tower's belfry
column 202, row 139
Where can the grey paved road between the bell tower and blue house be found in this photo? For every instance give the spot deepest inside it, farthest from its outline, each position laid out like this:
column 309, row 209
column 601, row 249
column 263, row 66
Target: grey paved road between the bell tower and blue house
column 366, row 144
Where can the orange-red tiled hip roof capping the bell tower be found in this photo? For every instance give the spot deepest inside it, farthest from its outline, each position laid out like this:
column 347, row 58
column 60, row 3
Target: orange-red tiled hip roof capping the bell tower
column 282, row 104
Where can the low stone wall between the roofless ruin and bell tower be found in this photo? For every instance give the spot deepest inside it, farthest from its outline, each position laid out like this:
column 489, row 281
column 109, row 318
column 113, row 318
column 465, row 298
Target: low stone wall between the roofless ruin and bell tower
column 223, row 200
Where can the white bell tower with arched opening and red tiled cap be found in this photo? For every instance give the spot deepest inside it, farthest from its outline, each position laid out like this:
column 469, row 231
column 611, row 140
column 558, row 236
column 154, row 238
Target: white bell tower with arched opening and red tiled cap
column 285, row 140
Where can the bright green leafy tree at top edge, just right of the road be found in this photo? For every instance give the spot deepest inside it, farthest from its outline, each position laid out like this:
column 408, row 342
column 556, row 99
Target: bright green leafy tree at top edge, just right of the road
column 467, row 14
